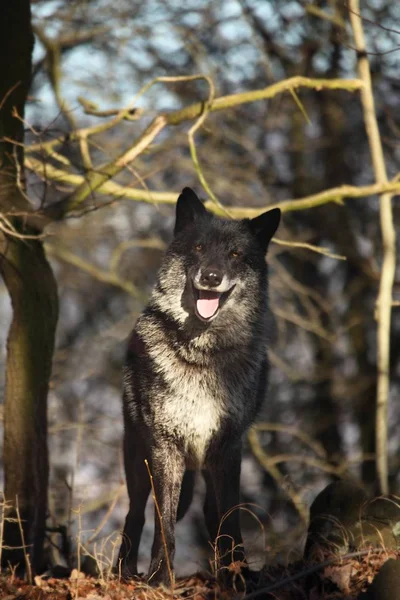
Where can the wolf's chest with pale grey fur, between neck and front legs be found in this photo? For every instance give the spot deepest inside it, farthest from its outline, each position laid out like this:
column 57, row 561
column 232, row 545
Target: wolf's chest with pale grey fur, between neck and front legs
column 191, row 393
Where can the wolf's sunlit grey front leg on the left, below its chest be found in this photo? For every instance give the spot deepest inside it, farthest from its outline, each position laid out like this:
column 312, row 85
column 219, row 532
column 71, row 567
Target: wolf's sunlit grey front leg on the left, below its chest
column 168, row 470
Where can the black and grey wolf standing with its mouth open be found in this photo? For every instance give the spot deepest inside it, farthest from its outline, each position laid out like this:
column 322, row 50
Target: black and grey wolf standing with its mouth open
column 194, row 380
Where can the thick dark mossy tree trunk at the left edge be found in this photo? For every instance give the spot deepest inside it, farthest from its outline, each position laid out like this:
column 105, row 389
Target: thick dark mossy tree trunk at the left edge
column 33, row 292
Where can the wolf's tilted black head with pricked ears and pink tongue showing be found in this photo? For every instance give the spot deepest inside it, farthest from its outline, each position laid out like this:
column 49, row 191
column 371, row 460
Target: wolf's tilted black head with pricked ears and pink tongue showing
column 214, row 264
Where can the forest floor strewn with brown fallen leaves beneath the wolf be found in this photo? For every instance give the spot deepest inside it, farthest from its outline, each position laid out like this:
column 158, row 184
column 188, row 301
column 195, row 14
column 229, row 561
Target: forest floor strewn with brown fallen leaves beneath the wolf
column 335, row 579
